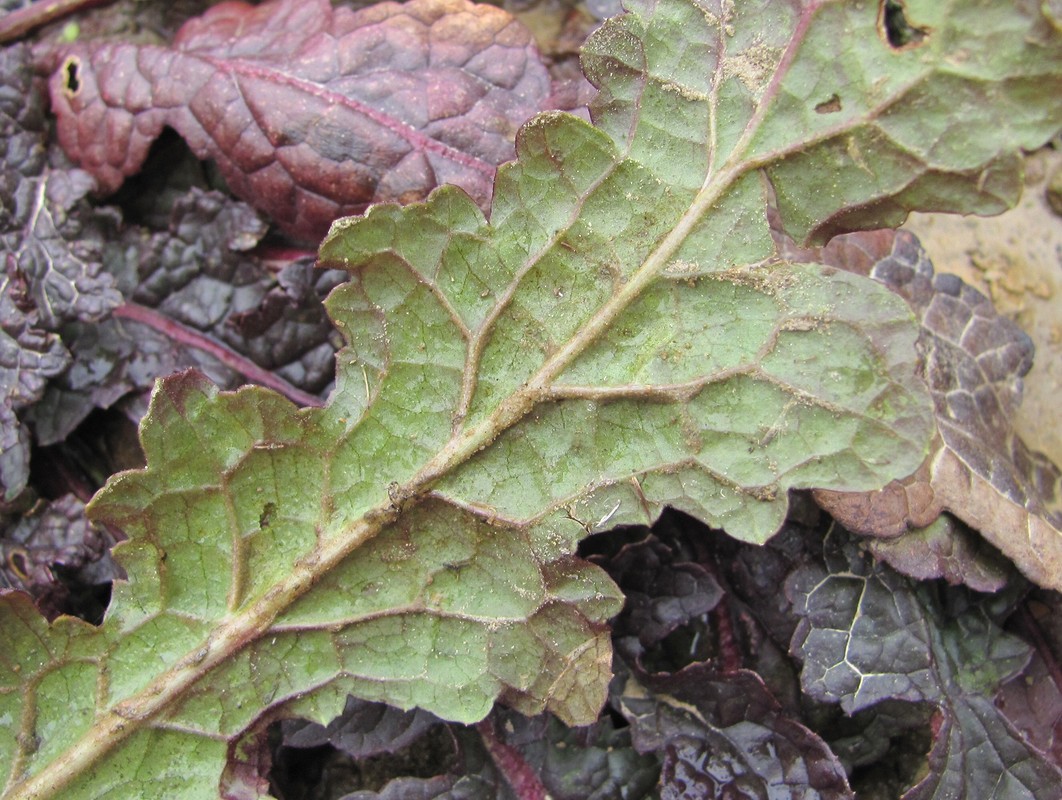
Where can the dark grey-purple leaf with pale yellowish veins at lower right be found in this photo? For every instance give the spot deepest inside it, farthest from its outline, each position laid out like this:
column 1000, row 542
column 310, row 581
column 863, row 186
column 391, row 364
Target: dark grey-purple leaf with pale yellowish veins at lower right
column 868, row 635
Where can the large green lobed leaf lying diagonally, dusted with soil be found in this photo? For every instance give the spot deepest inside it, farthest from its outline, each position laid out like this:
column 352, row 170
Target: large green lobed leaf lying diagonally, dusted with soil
column 616, row 338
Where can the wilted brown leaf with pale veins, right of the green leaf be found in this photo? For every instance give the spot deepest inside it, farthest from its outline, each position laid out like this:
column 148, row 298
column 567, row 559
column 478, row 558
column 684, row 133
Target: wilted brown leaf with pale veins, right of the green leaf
column 979, row 469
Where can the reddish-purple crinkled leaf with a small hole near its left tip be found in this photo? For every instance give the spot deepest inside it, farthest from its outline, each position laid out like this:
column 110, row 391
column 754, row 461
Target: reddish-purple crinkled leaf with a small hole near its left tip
column 312, row 113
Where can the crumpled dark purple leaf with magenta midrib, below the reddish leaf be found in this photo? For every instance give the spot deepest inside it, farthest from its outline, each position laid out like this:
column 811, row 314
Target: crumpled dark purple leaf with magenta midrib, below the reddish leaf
column 208, row 288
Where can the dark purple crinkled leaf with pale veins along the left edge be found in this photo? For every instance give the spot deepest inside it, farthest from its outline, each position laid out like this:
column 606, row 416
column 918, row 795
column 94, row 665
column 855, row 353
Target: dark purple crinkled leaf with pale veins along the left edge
column 50, row 270
